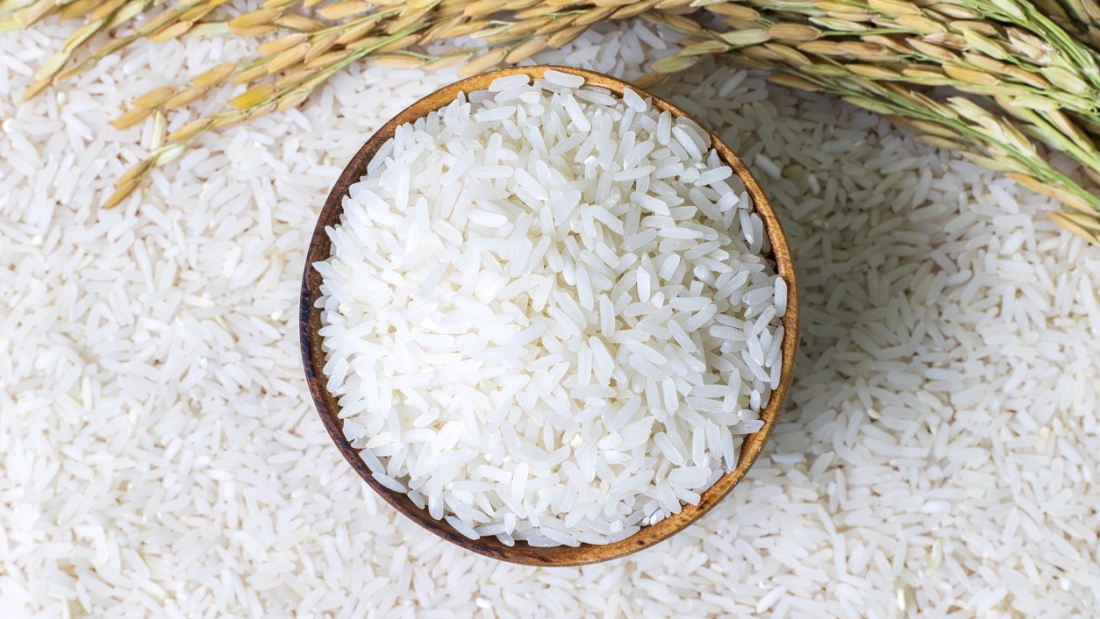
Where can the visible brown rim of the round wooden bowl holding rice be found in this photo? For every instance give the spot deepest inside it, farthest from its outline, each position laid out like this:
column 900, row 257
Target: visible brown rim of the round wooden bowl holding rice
column 313, row 355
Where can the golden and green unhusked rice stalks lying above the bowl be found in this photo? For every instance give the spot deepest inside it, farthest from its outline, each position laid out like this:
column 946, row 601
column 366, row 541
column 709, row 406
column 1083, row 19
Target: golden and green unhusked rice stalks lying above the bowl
column 1036, row 65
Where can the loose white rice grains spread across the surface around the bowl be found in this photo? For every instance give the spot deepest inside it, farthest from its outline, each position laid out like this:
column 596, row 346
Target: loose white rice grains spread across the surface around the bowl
column 161, row 457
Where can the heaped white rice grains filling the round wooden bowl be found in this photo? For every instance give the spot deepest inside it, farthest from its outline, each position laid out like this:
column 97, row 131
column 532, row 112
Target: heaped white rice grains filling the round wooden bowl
column 547, row 314
